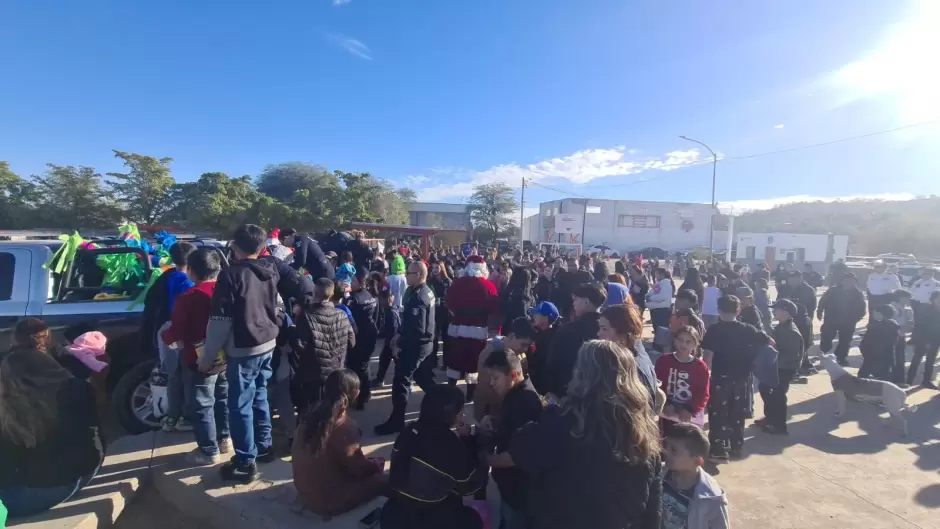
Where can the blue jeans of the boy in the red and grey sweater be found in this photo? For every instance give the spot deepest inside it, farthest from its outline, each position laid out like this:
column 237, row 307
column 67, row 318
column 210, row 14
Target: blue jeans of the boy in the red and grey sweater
column 207, row 408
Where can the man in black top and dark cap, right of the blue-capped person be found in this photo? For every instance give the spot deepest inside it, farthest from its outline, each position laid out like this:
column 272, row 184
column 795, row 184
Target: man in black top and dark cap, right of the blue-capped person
column 588, row 299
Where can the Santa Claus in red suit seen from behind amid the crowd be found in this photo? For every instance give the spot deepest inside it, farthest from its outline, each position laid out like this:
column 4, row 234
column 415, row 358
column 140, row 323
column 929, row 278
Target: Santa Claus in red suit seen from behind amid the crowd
column 473, row 302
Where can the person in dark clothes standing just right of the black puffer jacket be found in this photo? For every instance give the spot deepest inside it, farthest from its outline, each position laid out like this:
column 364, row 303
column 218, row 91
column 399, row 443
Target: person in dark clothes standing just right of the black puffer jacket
column 365, row 312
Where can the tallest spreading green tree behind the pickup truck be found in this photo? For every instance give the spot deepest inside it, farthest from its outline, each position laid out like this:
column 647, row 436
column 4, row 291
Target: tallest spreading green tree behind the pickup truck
column 145, row 190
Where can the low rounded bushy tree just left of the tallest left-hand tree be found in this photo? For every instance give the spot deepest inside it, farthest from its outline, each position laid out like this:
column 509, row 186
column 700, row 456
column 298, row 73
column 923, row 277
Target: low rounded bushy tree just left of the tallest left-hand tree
column 72, row 198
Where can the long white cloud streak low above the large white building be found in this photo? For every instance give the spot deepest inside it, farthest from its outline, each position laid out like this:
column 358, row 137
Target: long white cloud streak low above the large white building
column 579, row 168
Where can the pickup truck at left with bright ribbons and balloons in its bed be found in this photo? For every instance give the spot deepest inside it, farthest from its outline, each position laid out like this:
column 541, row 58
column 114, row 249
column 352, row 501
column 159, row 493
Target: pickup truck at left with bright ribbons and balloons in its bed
column 27, row 289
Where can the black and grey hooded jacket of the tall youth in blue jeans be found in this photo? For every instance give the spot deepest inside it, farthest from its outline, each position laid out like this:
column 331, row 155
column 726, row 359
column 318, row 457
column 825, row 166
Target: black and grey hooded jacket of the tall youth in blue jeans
column 246, row 294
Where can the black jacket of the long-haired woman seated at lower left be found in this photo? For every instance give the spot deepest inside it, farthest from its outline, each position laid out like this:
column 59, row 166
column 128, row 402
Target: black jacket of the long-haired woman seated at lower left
column 73, row 447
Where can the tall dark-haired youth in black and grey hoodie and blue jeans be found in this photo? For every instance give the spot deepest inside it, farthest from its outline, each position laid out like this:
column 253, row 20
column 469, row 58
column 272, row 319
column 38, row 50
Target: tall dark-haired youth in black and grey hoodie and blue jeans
column 244, row 323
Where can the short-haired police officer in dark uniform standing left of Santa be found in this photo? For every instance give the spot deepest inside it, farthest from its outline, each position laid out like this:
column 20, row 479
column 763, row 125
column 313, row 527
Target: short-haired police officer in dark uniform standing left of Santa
column 412, row 346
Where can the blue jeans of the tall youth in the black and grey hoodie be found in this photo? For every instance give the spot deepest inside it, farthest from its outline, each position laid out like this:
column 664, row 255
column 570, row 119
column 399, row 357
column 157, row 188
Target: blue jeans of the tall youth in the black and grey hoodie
column 249, row 414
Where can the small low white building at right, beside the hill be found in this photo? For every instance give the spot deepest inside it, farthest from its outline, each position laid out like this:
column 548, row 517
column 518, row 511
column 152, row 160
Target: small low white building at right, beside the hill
column 817, row 249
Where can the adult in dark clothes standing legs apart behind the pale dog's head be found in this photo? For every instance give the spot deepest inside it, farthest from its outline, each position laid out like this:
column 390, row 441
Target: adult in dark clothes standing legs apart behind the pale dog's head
column 840, row 309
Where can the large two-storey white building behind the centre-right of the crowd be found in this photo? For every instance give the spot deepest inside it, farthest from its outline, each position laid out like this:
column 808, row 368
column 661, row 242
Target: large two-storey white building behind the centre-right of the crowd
column 624, row 225
